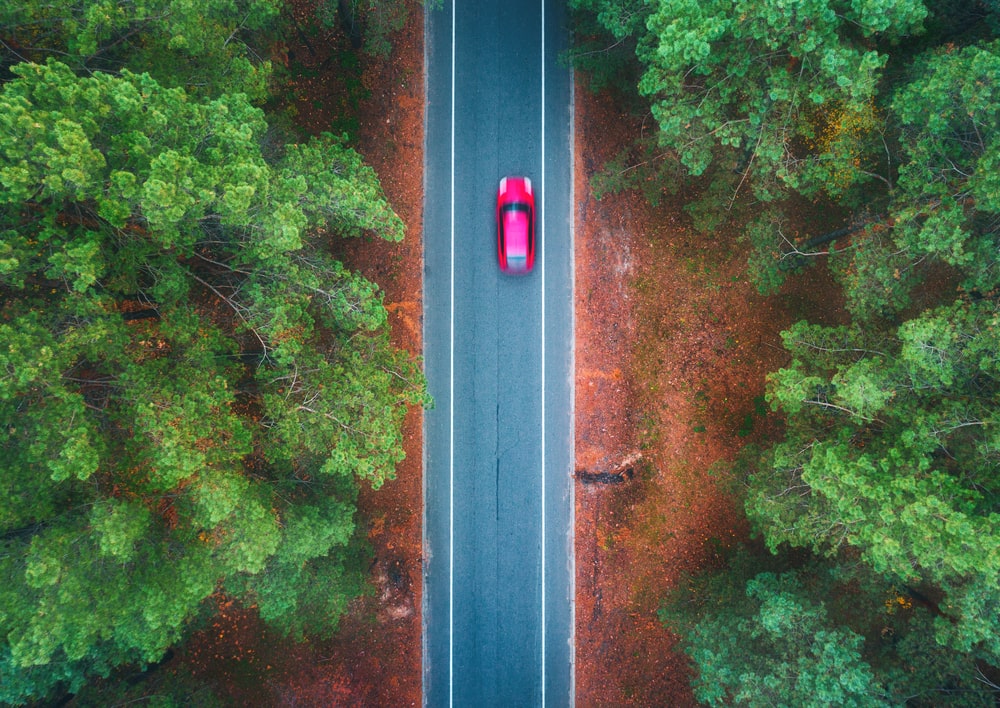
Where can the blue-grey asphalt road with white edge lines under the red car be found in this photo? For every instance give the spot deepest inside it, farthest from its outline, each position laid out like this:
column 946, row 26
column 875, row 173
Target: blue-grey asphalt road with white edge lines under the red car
column 498, row 563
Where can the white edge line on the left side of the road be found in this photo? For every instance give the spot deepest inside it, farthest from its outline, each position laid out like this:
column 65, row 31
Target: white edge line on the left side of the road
column 451, row 392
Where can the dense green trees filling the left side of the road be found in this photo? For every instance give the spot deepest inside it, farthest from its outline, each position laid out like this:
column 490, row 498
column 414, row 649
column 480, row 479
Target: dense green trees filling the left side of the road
column 193, row 388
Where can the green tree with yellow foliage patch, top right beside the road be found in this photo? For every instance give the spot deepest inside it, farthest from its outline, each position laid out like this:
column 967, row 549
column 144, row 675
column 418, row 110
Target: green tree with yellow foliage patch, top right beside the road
column 749, row 83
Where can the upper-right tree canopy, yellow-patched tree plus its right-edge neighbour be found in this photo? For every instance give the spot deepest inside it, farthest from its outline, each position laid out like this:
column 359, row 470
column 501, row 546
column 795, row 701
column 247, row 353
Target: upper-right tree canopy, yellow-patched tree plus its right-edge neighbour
column 772, row 99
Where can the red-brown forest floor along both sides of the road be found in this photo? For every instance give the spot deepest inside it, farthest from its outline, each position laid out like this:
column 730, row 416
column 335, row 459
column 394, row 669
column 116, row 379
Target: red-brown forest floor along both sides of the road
column 672, row 347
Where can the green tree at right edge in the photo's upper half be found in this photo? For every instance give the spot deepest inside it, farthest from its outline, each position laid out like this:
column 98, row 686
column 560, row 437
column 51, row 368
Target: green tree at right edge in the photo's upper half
column 938, row 204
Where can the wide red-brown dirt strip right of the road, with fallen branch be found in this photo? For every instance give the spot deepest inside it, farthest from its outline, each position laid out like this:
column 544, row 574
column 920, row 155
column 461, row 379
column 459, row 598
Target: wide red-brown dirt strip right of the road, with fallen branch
column 672, row 348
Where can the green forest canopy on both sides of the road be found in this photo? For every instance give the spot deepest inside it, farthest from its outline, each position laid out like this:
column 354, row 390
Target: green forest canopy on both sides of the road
column 193, row 388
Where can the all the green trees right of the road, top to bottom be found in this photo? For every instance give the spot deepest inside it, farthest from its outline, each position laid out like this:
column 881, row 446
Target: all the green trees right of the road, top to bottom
column 873, row 573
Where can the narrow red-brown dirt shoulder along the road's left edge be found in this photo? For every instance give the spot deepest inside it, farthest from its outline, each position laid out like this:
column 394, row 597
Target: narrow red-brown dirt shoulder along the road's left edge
column 380, row 643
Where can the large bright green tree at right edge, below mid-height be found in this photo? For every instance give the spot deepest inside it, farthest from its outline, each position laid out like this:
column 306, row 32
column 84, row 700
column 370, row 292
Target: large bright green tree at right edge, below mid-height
column 891, row 449
